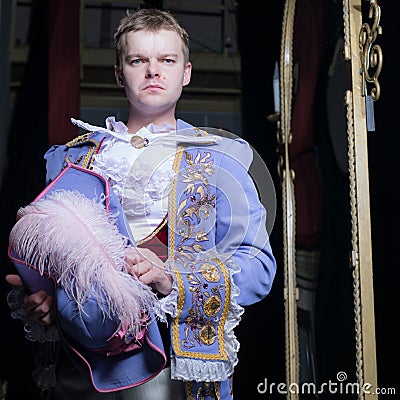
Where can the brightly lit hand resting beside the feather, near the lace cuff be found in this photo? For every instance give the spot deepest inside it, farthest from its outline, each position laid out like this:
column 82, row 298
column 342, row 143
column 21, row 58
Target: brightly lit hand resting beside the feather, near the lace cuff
column 149, row 269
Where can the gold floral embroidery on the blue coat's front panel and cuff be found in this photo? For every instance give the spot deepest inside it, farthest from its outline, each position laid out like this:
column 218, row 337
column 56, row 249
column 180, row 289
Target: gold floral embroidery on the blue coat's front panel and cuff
column 207, row 298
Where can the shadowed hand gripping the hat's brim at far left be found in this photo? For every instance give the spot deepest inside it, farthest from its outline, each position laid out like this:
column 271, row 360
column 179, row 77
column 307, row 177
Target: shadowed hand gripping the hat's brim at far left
column 39, row 305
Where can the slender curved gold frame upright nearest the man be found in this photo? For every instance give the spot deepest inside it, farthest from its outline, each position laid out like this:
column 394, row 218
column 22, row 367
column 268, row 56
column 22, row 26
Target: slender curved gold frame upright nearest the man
column 284, row 138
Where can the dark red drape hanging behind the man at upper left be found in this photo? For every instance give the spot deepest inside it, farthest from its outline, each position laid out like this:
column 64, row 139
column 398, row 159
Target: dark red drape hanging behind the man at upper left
column 64, row 69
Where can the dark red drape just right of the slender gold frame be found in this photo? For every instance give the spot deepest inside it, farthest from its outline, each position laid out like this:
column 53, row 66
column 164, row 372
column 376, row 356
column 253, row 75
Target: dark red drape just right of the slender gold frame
column 307, row 51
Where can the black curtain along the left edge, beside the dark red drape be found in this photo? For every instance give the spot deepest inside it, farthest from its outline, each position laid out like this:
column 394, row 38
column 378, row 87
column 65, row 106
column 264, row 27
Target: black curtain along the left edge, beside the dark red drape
column 23, row 180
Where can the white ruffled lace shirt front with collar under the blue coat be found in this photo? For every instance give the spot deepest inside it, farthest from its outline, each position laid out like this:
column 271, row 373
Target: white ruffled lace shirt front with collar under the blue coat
column 141, row 178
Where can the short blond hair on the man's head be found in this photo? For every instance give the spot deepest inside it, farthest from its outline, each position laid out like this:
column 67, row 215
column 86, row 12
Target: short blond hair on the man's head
column 149, row 19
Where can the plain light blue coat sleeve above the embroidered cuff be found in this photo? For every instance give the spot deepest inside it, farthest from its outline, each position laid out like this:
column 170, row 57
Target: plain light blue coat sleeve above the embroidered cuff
column 241, row 224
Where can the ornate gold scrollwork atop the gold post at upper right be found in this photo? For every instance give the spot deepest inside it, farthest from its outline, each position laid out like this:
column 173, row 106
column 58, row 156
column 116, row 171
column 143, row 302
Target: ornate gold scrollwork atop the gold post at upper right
column 371, row 54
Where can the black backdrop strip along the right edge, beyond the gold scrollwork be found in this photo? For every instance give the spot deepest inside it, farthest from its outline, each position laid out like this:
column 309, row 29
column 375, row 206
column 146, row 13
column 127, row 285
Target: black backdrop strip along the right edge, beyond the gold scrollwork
column 383, row 151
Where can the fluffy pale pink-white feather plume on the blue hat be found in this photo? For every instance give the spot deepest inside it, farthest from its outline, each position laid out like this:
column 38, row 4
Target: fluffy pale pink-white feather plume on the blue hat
column 72, row 238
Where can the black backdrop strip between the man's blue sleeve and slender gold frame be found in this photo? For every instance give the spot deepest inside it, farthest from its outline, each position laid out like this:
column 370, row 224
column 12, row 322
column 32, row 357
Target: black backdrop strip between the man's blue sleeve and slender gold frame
column 261, row 331
